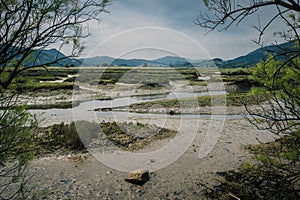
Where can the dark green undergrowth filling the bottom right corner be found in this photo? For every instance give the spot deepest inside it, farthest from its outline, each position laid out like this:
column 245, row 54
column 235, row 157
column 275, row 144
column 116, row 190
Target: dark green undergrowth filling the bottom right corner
column 276, row 175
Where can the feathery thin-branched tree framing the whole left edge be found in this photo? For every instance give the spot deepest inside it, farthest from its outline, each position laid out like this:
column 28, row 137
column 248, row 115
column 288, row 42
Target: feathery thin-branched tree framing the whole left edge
column 26, row 28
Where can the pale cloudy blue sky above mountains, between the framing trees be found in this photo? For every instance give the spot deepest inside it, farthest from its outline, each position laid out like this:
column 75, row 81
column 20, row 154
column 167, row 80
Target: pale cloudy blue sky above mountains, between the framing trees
column 155, row 28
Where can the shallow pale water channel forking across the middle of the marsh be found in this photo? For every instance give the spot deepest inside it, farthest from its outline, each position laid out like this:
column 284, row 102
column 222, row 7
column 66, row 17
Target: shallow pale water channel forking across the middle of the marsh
column 86, row 110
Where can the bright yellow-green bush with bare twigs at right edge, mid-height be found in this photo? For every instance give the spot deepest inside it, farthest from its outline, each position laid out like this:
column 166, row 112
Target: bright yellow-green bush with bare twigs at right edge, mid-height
column 280, row 81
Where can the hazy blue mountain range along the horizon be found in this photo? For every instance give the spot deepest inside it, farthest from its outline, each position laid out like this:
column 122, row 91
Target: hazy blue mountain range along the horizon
column 250, row 59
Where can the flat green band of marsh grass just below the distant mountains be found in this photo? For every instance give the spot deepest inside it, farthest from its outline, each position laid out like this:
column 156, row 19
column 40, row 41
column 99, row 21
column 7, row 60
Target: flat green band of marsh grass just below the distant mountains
column 32, row 79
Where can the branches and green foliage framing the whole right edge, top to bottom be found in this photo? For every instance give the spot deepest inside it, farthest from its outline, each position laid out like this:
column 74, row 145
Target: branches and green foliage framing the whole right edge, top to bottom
column 276, row 174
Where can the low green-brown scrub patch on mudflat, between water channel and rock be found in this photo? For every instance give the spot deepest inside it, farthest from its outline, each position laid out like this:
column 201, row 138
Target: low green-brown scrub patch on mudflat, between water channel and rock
column 63, row 138
